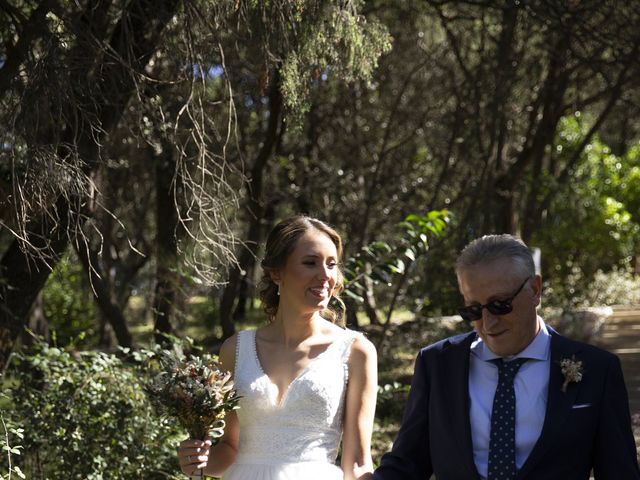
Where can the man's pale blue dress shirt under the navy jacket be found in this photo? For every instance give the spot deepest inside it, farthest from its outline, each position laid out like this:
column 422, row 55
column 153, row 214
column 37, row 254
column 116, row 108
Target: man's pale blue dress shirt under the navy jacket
column 531, row 387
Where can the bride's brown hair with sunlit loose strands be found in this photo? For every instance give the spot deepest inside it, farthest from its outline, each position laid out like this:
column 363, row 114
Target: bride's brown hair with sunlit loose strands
column 281, row 242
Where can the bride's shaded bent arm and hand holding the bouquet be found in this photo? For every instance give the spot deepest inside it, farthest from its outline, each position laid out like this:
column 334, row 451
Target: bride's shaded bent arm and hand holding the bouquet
column 195, row 454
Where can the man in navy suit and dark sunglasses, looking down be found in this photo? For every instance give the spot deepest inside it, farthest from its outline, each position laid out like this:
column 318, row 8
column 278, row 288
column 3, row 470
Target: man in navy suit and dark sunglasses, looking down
column 571, row 413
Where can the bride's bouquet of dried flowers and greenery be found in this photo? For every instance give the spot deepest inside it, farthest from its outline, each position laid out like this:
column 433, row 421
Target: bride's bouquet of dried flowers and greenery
column 194, row 390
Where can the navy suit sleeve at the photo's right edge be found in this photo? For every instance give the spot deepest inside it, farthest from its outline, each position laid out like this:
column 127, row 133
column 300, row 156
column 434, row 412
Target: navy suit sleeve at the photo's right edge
column 615, row 455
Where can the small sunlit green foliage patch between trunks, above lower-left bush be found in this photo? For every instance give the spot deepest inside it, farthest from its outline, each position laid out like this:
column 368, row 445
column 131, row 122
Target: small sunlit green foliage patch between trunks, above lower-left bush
column 67, row 304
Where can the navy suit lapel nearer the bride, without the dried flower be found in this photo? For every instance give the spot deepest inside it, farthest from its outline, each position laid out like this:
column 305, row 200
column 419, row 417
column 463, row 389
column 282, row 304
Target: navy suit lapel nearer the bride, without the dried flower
column 454, row 372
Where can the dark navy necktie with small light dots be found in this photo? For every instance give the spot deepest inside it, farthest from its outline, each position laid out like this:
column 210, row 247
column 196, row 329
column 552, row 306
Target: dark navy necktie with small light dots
column 502, row 441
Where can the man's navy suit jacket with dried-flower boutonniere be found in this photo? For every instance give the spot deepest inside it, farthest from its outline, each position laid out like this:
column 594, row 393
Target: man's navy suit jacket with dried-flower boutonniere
column 435, row 436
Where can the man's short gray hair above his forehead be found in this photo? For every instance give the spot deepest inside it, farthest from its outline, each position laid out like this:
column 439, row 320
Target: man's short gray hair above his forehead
column 489, row 248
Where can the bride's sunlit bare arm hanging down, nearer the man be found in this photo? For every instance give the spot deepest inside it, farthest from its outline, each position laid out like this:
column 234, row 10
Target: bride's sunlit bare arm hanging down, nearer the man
column 360, row 405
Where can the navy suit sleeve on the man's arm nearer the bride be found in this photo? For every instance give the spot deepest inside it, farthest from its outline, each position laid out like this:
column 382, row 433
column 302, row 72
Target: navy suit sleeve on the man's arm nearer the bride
column 410, row 457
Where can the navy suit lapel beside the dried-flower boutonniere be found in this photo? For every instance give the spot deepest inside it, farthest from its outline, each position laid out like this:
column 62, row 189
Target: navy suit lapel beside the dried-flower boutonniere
column 559, row 403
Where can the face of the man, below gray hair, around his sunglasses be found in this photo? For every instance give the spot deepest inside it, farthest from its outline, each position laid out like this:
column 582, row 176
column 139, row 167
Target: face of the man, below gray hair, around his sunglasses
column 510, row 333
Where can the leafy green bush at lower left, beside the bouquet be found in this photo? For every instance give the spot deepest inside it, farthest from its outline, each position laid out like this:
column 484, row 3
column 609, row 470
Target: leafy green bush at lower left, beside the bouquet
column 85, row 416
